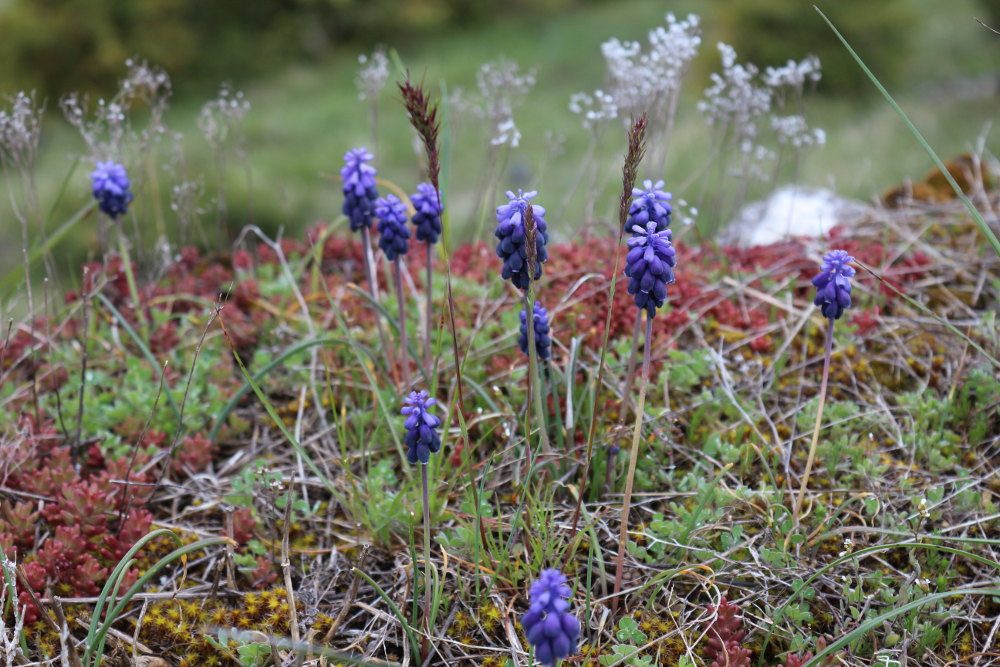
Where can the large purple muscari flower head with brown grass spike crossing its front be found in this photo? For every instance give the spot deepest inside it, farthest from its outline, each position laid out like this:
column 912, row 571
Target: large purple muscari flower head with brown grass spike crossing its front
column 510, row 232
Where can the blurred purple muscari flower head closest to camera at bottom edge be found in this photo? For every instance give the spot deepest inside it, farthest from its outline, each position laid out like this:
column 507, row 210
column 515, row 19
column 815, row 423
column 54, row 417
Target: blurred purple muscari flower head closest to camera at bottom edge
column 549, row 626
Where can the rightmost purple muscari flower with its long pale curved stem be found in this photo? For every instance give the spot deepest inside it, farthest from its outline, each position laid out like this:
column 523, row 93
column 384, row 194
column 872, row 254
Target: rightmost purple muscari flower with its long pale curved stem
column 833, row 296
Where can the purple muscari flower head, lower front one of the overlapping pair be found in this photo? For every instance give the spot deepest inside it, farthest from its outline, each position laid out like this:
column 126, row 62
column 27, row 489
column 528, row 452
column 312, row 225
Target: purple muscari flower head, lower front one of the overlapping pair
column 649, row 266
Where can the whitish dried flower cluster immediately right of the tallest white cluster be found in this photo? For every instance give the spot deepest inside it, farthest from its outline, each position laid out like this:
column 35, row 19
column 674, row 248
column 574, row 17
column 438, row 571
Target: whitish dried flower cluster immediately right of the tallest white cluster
column 734, row 100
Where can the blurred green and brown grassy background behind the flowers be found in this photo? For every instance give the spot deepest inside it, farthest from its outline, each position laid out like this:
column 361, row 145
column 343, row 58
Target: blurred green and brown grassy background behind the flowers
column 296, row 61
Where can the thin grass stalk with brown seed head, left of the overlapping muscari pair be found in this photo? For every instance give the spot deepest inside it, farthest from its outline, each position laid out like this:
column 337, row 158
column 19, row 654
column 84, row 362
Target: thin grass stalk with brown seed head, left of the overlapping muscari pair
column 630, row 169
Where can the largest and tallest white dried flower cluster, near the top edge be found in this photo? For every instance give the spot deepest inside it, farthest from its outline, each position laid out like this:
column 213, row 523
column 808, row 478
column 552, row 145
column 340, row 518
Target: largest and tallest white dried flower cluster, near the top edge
column 648, row 81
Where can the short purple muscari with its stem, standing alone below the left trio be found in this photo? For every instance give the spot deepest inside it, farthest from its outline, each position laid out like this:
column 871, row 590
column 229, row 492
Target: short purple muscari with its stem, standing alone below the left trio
column 422, row 440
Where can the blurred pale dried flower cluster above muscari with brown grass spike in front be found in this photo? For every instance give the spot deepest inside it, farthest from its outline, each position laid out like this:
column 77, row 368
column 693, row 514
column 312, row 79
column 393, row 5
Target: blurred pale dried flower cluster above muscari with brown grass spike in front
column 502, row 89
